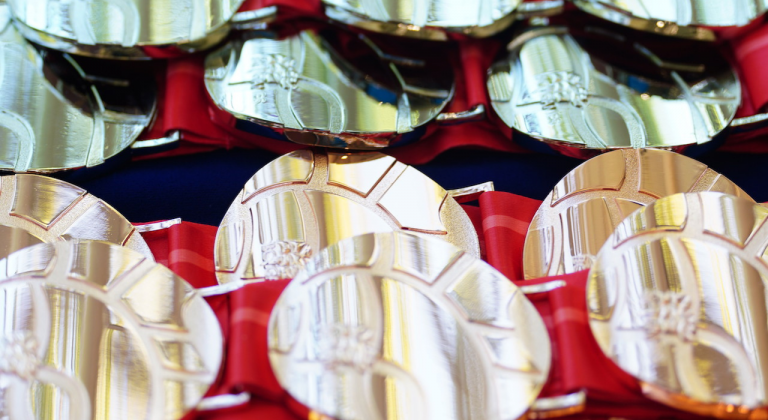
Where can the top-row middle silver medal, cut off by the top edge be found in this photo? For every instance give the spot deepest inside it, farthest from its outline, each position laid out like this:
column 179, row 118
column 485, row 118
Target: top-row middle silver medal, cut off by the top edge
column 426, row 19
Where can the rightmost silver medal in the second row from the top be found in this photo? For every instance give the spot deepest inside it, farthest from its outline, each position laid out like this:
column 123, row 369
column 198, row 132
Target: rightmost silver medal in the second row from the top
column 553, row 89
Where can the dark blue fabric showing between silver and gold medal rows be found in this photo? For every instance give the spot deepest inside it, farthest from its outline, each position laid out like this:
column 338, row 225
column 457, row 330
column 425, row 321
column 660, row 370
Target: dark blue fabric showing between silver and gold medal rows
column 199, row 188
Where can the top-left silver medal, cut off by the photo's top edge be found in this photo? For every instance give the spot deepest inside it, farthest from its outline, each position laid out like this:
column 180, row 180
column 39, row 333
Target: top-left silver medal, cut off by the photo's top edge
column 125, row 29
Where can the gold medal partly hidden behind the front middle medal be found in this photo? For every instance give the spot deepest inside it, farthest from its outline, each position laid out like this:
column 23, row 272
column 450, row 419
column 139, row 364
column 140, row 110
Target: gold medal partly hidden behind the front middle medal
column 305, row 201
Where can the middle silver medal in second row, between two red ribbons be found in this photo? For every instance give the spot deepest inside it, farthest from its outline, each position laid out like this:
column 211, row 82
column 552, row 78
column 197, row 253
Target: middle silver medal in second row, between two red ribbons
column 304, row 90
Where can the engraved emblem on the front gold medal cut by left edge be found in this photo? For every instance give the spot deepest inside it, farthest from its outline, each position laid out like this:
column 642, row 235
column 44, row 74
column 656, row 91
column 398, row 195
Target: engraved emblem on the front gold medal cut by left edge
column 19, row 355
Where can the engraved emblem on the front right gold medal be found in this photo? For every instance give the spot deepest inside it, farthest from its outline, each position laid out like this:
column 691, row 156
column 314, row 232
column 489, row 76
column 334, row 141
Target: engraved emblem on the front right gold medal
column 670, row 313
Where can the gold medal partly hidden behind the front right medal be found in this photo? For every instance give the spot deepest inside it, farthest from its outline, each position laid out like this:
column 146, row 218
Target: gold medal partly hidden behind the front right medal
column 583, row 209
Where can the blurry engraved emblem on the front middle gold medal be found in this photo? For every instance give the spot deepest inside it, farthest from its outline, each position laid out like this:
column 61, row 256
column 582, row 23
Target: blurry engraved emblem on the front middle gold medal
column 347, row 345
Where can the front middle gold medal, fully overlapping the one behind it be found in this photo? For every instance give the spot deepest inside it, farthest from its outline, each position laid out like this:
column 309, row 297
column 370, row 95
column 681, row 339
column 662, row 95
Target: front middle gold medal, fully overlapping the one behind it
column 396, row 326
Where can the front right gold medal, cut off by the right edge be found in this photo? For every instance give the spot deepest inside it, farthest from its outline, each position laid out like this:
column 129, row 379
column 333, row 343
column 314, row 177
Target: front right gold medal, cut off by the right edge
column 677, row 298
